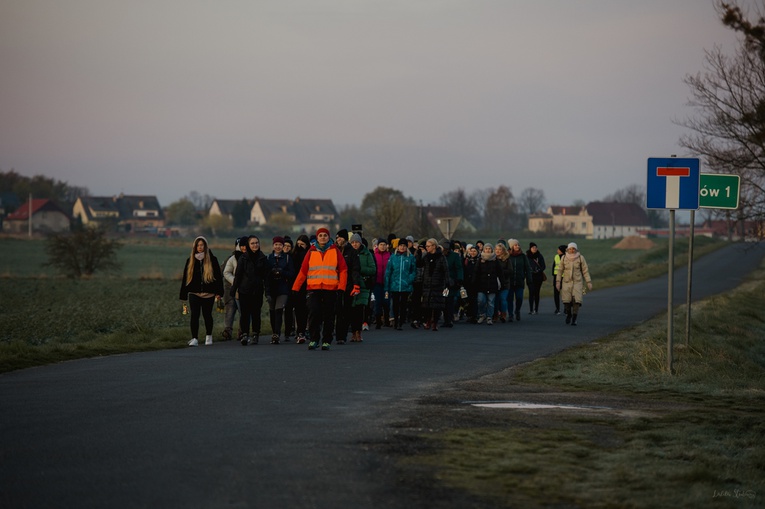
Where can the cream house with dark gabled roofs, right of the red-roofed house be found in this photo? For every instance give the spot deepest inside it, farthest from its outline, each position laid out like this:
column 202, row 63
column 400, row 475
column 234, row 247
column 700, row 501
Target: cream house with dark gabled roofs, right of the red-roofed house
column 135, row 214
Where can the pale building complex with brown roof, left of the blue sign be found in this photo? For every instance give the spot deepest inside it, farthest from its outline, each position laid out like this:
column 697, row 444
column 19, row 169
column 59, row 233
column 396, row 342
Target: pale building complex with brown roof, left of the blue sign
column 596, row 220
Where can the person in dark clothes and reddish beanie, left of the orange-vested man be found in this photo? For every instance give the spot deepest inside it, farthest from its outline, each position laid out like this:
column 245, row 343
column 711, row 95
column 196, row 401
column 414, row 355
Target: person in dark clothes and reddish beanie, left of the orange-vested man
column 278, row 285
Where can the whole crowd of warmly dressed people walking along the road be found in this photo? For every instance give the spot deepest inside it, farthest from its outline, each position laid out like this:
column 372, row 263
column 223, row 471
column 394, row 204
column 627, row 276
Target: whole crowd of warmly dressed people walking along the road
column 319, row 289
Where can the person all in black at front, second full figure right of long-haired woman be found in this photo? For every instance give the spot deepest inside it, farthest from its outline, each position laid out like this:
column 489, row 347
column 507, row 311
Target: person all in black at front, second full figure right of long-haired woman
column 250, row 282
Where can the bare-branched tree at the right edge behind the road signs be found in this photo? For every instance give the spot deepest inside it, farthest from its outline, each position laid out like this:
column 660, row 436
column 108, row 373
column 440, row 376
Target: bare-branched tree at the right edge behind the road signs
column 728, row 128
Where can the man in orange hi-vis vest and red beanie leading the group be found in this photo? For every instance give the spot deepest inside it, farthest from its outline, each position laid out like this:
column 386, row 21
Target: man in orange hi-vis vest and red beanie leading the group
column 326, row 276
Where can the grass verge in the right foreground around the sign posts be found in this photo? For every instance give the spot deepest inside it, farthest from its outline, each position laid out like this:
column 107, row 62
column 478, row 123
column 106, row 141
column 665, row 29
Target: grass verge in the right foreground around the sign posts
column 692, row 439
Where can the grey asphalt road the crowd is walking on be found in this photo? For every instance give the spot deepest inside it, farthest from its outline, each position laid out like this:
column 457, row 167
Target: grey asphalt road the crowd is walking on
column 269, row 426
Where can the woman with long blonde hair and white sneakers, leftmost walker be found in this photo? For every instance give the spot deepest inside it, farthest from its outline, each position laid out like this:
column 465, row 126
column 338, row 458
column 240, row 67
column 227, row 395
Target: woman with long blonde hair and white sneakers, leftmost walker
column 201, row 284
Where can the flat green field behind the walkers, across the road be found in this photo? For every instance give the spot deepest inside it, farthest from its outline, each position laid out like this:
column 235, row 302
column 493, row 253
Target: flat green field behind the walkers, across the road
column 47, row 318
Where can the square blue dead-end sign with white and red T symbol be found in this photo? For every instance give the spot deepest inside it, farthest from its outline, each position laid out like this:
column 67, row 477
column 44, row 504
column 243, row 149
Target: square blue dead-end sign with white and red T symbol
column 673, row 183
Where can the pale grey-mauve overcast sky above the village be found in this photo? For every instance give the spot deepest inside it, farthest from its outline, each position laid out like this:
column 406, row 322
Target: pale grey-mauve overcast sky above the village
column 332, row 98
